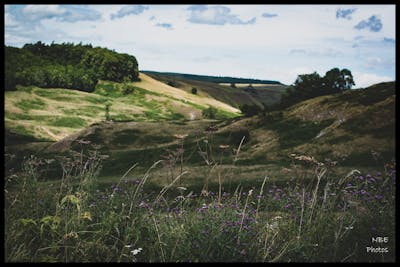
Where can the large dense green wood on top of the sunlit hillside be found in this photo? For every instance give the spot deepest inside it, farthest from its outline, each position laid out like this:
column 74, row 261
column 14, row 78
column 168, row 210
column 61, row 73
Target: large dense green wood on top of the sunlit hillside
column 66, row 65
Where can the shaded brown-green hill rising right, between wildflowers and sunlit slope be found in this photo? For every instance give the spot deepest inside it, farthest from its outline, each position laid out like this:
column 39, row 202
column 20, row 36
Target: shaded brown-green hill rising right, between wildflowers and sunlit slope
column 354, row 128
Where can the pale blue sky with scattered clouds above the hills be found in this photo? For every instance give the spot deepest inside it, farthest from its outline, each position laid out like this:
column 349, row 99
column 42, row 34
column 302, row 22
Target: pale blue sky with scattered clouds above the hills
column 270, row 42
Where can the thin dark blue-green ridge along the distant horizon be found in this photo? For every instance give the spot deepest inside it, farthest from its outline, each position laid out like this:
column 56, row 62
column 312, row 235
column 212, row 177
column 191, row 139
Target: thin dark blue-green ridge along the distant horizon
column 213, row 79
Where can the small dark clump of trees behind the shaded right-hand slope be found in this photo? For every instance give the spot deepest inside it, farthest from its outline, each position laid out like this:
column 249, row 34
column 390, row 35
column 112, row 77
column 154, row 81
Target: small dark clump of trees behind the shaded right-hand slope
column 312, row 85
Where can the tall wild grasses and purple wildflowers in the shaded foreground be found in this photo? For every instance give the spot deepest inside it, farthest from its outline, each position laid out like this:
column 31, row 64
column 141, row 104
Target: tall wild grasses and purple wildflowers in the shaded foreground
column 316, row 216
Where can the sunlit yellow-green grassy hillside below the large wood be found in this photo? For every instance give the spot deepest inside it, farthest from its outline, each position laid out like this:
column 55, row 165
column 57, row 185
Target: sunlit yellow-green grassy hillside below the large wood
column 52, row 114
